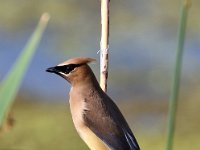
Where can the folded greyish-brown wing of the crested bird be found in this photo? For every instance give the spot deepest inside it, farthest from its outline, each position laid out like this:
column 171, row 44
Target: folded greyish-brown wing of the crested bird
column 110, row 126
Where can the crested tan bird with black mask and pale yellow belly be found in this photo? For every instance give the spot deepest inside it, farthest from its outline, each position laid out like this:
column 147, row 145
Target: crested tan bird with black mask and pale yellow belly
column 96, row 117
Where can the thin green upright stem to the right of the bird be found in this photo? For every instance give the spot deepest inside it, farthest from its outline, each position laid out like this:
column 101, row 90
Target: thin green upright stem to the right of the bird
column 173, row 102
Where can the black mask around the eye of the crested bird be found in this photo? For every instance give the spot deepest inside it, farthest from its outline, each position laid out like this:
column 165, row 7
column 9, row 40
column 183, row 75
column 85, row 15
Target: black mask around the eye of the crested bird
column 67, row 68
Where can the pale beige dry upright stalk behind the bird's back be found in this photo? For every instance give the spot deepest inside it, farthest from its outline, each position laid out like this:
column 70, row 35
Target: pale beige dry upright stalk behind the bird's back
column 104, row 44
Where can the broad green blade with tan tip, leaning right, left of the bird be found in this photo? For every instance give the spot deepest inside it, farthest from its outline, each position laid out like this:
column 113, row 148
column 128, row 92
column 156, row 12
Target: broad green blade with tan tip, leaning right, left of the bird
column 11, row 83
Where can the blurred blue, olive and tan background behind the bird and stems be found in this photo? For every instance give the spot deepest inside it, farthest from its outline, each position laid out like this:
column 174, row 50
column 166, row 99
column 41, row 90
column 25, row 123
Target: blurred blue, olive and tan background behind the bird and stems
column 143, row 39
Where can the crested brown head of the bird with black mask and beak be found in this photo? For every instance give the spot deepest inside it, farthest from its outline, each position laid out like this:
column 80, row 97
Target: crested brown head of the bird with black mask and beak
column 73, row 70
